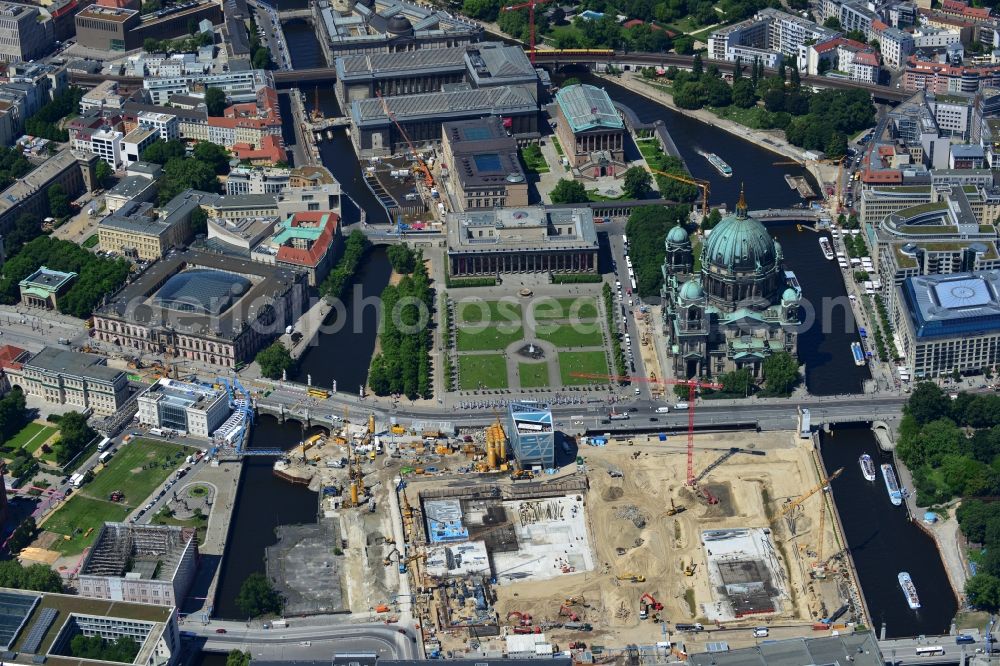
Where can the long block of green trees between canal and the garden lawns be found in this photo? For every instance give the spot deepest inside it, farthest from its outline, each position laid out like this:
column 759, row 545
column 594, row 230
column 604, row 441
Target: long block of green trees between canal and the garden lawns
column 403, row 367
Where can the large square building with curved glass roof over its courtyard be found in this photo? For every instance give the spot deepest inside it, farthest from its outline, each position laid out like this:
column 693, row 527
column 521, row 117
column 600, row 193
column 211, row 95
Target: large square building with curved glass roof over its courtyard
column 204, row 307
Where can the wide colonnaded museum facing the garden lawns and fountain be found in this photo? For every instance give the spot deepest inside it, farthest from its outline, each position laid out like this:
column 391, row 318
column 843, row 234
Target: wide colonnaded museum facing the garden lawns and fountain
column 534, row 239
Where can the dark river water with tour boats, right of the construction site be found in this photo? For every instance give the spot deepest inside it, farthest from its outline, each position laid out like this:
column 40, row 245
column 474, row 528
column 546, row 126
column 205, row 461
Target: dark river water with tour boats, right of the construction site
column 884, row 541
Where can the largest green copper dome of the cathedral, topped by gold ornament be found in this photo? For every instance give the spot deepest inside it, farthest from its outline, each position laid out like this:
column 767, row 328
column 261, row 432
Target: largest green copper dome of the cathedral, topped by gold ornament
column 740, row 243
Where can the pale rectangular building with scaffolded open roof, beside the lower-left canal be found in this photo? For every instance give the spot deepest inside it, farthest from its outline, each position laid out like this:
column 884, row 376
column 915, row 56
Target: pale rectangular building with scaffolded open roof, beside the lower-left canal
column 151, row 564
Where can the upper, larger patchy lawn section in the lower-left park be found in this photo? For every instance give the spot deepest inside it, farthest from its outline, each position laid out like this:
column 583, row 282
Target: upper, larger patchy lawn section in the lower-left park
column 137, row 469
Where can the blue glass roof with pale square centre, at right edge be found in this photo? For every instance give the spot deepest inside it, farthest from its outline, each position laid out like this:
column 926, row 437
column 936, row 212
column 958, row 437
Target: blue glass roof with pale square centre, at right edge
column 959, row 304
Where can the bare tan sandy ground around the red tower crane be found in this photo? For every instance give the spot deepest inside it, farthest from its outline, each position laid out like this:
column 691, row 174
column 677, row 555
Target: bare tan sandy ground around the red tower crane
column 653, row 476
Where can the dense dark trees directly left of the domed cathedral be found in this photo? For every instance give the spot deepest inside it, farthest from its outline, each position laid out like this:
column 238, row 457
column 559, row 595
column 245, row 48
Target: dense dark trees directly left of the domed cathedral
column 647, row 230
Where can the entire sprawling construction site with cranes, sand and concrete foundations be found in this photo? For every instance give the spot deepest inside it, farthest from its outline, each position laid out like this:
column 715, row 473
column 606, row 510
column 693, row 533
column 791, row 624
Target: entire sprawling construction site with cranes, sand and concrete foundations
column 644, row 541
